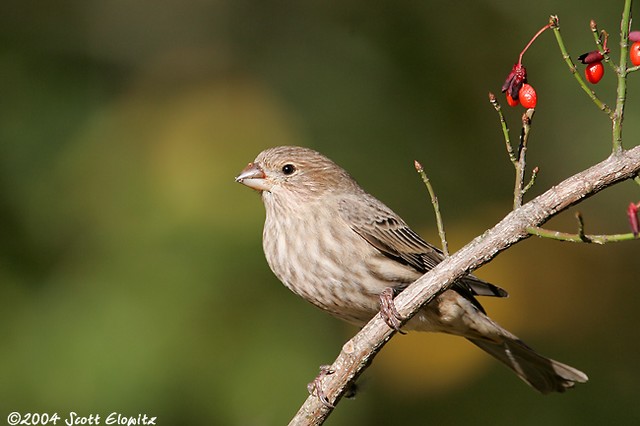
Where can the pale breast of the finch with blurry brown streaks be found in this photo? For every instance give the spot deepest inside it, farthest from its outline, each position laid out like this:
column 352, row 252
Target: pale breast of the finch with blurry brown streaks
column 318, row 256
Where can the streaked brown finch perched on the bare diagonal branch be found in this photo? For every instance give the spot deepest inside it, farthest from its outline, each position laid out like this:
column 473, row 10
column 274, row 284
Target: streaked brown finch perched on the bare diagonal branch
column 340, row 248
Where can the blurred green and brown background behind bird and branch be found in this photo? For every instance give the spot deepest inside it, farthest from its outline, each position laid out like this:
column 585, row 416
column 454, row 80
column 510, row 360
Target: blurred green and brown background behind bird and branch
column 132, row 277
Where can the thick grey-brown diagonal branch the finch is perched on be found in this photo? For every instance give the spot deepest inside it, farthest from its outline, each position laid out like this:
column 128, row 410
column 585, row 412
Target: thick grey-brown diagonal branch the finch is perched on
column 359, row 352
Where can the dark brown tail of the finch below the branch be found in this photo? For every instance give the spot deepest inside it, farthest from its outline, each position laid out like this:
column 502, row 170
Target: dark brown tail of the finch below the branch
column 543, row 374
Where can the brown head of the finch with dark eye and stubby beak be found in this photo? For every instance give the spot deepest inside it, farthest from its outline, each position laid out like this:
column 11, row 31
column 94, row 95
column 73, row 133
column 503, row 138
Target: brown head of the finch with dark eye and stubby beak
column 296, row 170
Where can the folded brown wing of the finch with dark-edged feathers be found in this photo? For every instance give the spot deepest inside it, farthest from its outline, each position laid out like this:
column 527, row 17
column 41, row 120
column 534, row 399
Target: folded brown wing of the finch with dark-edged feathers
column 388, row 233
